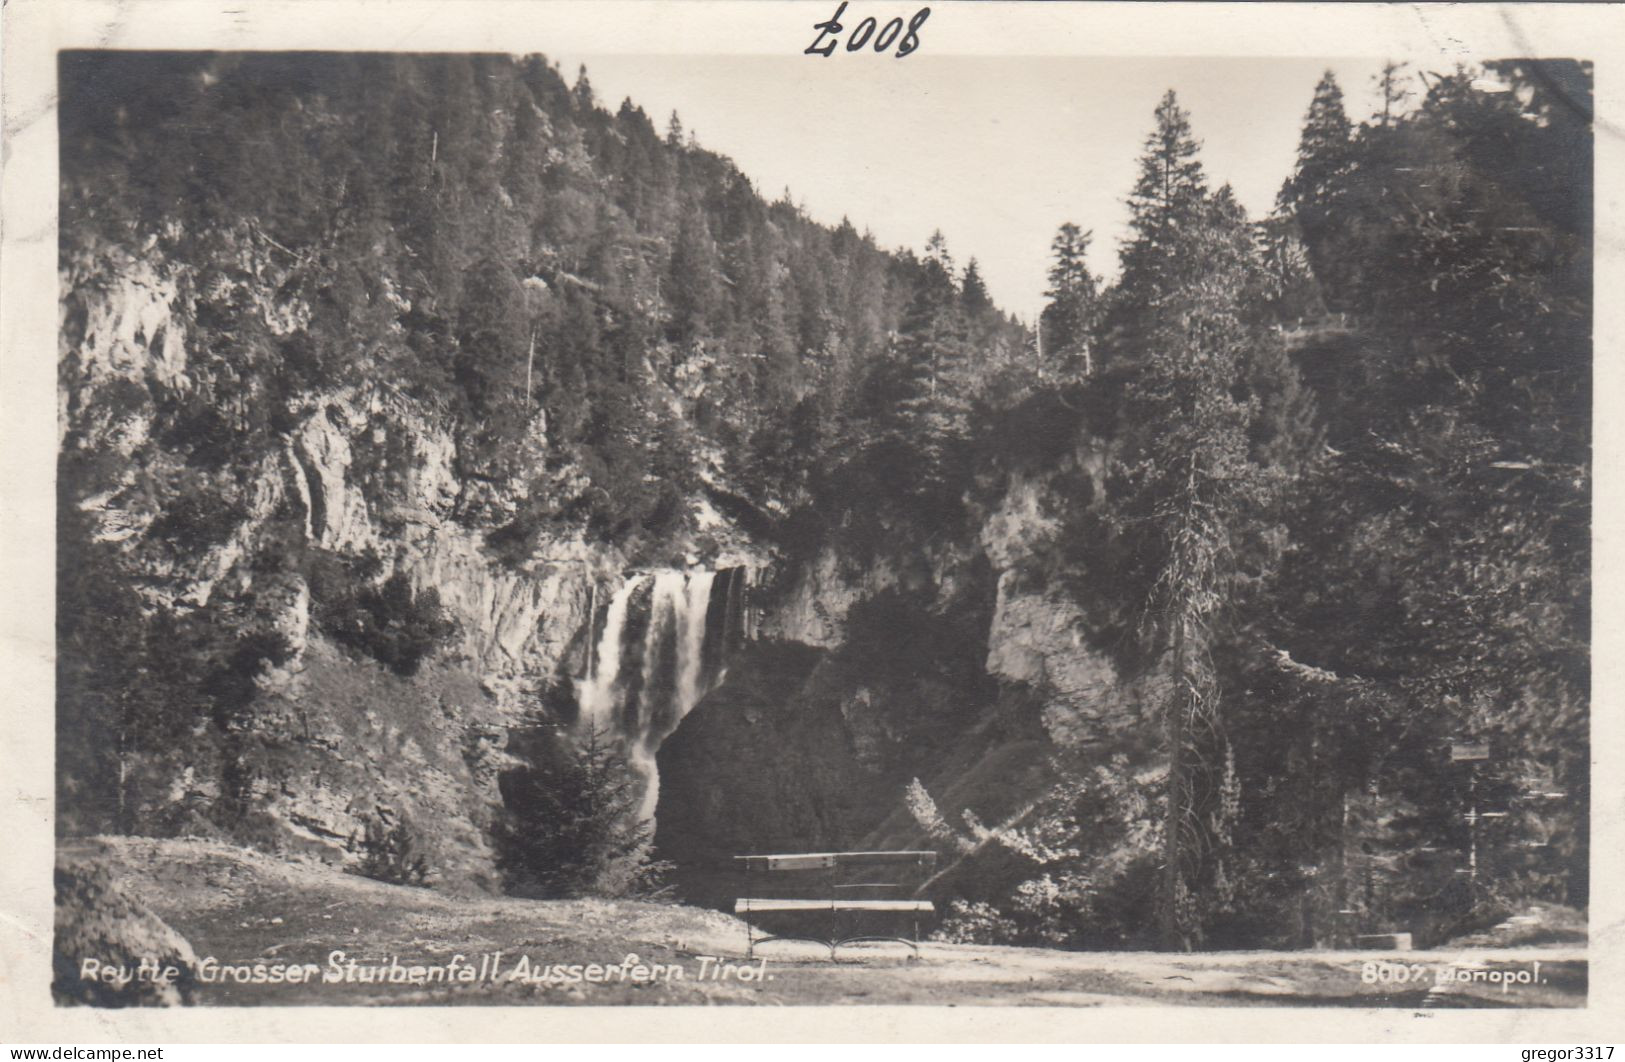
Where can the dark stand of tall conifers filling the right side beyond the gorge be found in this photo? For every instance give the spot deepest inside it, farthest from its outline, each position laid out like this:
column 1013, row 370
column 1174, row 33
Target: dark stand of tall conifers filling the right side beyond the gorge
column 1350, row 514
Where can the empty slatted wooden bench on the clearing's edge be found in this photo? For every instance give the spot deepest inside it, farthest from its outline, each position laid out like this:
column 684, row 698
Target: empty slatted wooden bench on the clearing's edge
column 843, row 902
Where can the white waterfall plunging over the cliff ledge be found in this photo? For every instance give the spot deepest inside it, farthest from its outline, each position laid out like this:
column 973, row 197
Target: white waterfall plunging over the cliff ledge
column 657, row 657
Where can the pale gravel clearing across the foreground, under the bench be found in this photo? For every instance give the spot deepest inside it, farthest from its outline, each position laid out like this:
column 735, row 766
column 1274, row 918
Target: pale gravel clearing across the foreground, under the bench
column 349, row 941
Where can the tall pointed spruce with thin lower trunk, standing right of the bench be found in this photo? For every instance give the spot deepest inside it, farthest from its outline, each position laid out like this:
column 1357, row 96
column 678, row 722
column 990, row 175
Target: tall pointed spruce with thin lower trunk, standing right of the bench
column 1187, row 275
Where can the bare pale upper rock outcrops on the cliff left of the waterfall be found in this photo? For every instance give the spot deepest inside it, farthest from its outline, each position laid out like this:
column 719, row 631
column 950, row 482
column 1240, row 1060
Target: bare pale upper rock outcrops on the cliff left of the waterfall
column 404, row 504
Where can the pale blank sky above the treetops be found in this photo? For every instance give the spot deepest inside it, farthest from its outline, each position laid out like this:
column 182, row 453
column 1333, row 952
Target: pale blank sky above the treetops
column 997, row 152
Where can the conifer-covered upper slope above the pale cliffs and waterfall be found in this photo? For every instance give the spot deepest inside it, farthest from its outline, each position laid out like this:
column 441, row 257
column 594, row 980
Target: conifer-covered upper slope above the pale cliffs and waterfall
column 501, row 246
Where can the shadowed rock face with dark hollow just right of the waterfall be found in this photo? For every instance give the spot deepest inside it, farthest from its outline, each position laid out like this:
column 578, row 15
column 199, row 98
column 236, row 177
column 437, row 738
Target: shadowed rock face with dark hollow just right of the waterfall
column 960, row 668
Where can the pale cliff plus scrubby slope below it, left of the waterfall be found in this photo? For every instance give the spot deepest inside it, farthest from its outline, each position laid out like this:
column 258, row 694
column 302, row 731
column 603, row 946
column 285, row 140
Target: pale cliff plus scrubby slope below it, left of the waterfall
column 334, row 741
